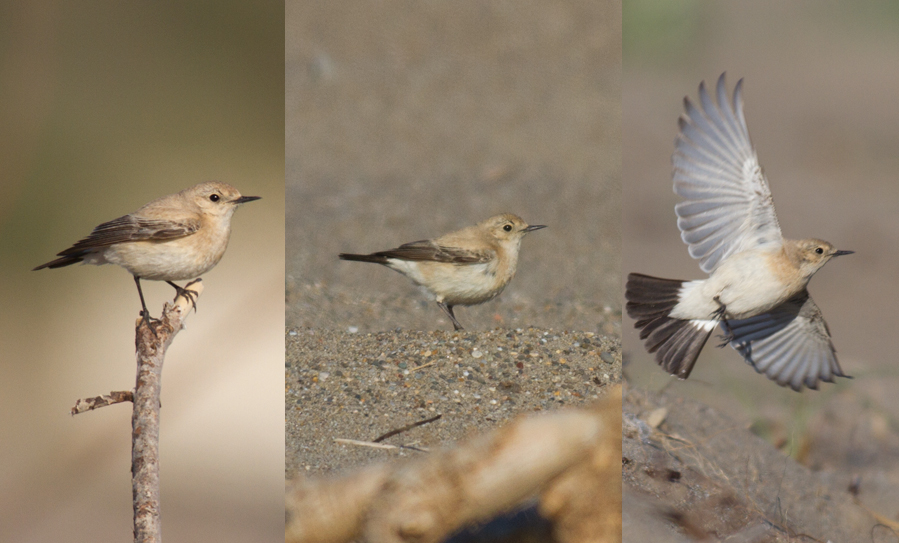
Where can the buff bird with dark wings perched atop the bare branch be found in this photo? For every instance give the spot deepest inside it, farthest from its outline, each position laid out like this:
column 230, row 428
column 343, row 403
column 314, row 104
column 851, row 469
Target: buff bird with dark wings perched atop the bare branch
column 177, row 237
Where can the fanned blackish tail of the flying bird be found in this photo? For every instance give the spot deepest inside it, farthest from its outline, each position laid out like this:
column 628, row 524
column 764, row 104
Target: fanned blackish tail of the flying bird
column 676, row 342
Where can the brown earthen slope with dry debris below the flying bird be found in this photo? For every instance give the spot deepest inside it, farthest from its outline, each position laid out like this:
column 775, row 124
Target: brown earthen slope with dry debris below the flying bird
column 688, row 467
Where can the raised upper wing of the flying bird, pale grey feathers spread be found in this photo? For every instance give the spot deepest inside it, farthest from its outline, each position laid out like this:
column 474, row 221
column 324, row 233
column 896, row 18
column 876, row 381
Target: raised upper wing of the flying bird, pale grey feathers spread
column 727, row 205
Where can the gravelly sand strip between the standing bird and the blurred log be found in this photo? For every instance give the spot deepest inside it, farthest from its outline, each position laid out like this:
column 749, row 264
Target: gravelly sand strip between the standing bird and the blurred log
column 360, row 386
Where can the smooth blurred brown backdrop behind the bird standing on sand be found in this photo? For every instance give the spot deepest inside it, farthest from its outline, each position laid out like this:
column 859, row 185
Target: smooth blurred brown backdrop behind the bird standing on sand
column 407, row 120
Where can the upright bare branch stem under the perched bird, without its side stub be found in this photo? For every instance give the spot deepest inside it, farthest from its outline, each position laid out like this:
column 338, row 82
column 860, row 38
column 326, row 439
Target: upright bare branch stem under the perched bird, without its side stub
column 151, row 347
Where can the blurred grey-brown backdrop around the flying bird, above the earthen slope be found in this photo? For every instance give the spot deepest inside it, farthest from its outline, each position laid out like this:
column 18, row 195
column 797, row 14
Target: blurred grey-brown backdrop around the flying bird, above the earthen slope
column 820, row 93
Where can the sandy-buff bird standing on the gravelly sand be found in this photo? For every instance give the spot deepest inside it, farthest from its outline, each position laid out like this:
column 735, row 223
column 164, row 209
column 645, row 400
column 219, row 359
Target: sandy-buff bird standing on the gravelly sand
column 466, row 267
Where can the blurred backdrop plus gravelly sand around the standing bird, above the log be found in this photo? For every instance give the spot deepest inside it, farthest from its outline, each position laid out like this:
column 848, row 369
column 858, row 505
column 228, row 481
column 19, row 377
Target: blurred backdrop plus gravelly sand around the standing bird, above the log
column 406, row 120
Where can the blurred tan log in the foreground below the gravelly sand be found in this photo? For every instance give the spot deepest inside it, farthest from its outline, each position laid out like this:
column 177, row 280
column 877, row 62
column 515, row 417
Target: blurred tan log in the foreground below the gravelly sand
column 570, row 458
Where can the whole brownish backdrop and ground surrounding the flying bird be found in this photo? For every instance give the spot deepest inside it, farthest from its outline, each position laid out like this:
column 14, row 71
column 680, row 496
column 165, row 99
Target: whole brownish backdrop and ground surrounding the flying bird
column 820, row 110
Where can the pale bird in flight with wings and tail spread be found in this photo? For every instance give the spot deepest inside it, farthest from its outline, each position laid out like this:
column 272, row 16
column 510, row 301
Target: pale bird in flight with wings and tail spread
column 756, row 290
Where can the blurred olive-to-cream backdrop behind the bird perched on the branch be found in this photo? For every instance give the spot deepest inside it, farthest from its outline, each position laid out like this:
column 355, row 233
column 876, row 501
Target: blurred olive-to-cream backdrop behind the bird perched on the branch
column 103, row 107
